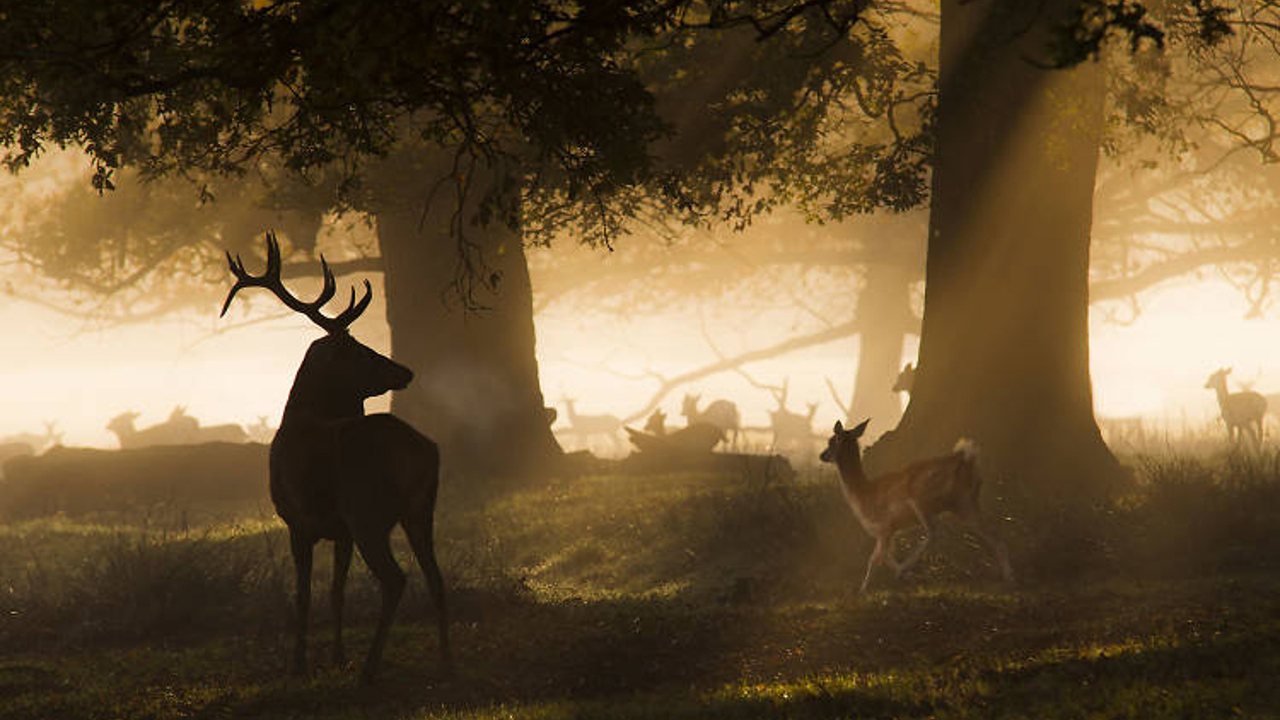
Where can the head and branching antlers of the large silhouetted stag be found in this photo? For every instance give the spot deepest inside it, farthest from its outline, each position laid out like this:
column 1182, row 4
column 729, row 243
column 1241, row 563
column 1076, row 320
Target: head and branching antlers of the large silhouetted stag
column 339, row 370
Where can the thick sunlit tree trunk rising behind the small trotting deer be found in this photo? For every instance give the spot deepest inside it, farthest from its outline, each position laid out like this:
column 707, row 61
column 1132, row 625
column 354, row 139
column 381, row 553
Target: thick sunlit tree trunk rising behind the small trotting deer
column 1004, row 347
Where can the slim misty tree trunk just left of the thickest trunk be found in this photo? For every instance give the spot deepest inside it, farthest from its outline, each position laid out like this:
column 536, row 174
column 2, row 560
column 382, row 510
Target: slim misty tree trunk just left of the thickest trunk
column 884, row 321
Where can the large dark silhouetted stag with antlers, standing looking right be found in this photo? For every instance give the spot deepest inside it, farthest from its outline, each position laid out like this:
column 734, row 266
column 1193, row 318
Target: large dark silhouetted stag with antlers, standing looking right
column 342, row 476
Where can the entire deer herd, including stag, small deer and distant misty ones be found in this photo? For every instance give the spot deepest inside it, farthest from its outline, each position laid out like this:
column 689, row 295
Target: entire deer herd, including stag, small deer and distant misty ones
column 341, row 476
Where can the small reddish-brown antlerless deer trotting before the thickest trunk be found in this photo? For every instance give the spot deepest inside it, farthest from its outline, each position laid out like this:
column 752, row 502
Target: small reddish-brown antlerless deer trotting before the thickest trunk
column 915, row 495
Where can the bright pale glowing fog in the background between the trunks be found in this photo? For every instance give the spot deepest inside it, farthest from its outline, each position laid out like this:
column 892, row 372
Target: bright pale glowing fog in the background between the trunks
column 77, row 375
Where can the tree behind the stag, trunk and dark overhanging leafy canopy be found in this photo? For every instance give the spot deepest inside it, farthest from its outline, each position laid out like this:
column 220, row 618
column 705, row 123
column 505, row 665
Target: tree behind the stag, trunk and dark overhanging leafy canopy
column 464, row 131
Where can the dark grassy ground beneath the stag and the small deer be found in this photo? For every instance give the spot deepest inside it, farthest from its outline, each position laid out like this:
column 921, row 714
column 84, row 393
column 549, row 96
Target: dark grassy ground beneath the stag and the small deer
column 676, row 596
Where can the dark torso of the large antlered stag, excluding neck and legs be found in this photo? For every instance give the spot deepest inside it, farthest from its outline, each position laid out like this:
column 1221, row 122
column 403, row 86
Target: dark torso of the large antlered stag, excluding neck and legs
column 374, row 467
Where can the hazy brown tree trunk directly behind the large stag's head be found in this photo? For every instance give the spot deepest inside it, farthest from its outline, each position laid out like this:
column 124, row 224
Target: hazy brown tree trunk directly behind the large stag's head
column 477, row 390
